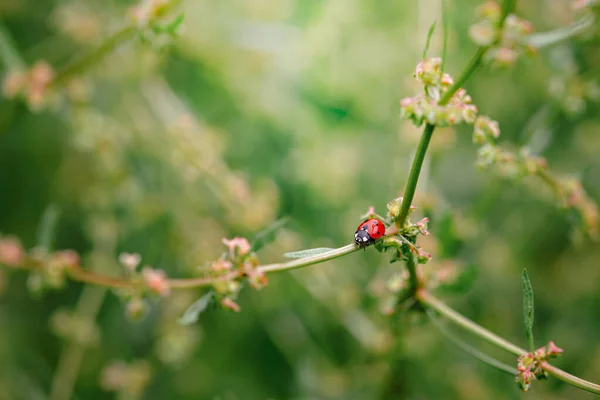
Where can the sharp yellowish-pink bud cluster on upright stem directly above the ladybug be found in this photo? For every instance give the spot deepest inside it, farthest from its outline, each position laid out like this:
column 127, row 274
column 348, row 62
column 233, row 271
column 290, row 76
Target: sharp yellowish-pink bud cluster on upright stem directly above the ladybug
column 425, row 107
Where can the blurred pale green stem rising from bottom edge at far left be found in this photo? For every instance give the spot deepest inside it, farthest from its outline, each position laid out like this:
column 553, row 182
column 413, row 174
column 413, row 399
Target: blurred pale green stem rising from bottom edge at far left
column 71, row 357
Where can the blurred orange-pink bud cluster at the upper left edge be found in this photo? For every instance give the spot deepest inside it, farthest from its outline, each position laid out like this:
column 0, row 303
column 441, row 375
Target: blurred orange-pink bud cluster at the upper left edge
column 33, row 84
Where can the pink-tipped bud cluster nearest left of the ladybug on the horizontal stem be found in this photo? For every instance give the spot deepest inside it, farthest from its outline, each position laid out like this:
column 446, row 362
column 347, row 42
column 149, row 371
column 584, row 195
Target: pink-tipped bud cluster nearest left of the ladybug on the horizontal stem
column 239, row 261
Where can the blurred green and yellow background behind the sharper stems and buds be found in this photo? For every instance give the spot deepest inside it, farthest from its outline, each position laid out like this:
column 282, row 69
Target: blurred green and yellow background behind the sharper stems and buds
column 260, row 110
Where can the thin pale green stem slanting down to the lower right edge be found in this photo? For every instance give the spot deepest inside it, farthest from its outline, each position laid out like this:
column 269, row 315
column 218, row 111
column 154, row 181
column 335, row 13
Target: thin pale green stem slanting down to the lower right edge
column 432, row 302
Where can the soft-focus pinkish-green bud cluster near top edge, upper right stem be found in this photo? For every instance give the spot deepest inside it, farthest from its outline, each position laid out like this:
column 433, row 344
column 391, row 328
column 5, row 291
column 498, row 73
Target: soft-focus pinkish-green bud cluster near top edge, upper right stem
column 508, row 38
